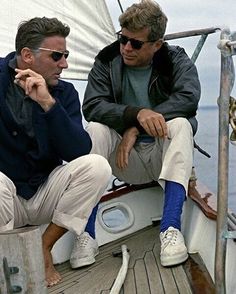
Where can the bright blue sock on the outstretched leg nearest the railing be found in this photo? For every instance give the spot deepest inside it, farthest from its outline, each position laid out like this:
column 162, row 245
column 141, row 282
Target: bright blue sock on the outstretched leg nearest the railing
column 173, row 204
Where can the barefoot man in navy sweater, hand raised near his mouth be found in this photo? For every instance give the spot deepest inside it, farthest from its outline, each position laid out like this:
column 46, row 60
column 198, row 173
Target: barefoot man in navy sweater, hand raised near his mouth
column 41, row 129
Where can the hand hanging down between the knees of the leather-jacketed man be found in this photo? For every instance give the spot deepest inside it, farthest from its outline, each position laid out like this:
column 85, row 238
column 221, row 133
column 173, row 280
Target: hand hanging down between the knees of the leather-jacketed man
column 125, row 146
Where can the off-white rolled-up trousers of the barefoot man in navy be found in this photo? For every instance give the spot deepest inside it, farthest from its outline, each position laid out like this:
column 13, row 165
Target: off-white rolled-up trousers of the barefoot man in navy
column 66, row 198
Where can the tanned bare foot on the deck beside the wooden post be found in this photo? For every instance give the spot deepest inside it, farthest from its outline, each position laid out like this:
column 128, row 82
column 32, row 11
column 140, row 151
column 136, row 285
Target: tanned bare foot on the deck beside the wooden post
column 52, row 276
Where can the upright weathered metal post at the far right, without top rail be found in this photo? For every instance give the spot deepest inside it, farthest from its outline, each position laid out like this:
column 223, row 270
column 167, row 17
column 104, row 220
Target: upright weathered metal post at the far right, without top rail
column 227, row 46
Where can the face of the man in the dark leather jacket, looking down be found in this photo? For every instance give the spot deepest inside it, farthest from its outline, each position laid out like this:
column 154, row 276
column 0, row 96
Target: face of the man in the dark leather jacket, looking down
column 138, row 57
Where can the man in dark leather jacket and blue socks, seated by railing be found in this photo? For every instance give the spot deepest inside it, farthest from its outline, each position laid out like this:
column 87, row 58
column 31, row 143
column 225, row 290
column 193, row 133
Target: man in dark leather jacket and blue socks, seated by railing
column 141, row 101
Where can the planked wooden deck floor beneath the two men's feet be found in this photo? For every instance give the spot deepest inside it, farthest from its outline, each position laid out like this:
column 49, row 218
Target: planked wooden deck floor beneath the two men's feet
column 145, row 274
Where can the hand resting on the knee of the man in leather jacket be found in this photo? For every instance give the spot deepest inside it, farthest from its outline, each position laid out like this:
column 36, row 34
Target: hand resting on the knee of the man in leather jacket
column 152, row 122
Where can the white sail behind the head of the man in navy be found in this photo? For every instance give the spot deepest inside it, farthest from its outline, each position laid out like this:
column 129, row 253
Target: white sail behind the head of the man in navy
column 90, row 23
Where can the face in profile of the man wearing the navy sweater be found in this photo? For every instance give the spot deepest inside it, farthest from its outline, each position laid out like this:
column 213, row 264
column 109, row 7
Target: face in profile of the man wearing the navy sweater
column 44, row 60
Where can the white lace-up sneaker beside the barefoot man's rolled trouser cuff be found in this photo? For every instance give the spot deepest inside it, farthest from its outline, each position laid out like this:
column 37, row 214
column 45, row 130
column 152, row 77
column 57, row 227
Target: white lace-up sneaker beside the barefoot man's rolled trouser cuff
column 84, row 251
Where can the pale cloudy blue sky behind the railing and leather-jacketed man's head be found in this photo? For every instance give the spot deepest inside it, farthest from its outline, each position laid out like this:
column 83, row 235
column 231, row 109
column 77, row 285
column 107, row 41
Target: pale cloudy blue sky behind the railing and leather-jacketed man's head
column 187, row 15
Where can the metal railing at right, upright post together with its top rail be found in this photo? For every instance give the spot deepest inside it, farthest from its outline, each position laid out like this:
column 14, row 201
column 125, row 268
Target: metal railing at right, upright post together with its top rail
column 226, row 222
